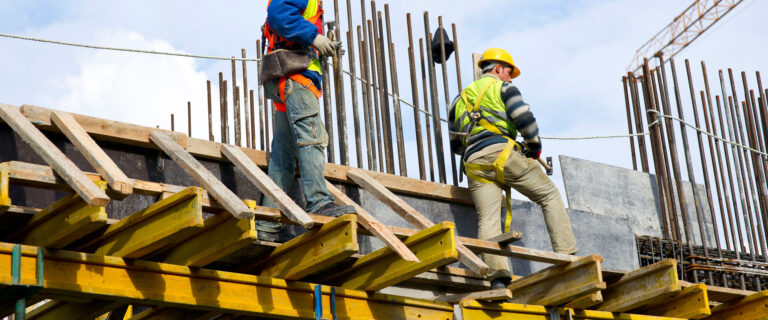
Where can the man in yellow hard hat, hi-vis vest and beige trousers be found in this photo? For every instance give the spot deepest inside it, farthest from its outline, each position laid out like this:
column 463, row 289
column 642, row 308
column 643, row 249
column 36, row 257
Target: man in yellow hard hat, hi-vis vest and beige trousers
column 485, row 119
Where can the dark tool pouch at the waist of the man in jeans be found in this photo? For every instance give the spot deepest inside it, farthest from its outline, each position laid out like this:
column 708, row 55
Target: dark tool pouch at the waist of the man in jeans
column 282, row 62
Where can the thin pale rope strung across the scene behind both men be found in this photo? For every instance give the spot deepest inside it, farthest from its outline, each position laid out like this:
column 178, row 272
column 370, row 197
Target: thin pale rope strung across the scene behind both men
column 197, row 56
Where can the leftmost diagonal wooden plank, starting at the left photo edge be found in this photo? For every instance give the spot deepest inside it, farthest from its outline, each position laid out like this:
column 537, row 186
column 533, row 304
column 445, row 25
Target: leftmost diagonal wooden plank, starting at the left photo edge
column 53, row 156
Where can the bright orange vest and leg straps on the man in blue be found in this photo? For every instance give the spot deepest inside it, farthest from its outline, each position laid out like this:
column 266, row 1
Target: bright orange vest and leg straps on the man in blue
column 278, row 42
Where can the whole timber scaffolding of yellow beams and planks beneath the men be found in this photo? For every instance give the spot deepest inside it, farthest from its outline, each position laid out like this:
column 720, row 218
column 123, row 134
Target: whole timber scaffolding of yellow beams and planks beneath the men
column 79, row 245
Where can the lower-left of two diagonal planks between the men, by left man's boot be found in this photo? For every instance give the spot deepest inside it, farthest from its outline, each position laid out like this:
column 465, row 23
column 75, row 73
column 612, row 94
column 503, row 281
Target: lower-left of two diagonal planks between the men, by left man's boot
column 369, row 222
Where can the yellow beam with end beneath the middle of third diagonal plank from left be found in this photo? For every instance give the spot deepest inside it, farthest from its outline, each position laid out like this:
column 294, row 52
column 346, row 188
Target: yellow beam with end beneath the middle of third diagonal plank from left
column 160, row 225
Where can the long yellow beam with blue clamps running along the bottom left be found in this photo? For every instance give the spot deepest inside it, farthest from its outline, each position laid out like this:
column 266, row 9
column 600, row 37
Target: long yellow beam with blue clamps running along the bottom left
column 161, row 284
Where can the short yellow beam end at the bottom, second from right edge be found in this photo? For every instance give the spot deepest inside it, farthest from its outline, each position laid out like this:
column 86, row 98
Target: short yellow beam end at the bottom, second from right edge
column 691, row 303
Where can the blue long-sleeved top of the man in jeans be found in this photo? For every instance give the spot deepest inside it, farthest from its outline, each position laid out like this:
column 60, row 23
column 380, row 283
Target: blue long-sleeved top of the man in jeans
column 285, row 18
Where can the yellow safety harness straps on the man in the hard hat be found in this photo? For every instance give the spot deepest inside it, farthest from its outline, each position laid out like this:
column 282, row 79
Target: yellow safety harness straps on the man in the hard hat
column 498, row 166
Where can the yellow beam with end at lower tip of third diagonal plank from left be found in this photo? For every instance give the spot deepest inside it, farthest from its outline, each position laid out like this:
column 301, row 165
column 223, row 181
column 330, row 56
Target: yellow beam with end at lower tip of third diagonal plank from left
column 230, row 234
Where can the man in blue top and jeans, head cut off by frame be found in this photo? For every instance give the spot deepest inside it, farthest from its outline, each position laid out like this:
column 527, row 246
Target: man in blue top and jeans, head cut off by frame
column 299, row 135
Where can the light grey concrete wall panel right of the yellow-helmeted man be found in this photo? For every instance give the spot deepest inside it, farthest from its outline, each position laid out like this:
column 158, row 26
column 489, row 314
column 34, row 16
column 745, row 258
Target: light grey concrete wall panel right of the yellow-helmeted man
column 627, row 194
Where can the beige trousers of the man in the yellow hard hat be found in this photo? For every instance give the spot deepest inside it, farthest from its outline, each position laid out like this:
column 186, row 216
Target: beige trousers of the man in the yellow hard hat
column 526, row 176
